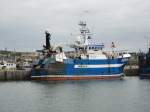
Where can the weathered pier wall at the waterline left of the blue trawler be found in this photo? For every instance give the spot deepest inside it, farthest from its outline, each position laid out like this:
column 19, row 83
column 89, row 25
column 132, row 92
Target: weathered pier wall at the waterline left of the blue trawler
column 14, row 75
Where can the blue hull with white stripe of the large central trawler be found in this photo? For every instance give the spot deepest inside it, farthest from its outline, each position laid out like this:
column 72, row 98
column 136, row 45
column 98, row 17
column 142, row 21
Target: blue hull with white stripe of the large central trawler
column 82, row 68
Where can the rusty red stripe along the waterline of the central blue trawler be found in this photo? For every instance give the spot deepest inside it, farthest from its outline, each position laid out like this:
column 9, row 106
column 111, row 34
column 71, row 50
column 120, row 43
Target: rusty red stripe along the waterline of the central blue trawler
column 75, row 78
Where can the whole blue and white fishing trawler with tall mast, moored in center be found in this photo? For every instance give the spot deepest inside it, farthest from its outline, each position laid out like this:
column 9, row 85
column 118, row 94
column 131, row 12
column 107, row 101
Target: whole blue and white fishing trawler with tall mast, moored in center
column 88, row 60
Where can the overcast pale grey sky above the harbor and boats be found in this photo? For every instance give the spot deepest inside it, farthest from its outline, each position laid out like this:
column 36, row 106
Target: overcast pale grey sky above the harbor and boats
column 23, row 22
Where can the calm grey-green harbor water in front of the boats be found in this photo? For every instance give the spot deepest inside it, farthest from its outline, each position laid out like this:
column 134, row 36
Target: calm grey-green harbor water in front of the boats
column 130, row 94
